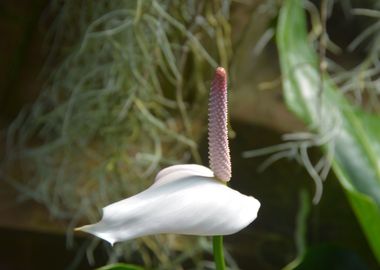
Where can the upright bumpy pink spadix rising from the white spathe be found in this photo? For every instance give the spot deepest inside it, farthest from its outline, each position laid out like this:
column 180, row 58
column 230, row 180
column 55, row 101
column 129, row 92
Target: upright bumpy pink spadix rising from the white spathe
column 219, row 152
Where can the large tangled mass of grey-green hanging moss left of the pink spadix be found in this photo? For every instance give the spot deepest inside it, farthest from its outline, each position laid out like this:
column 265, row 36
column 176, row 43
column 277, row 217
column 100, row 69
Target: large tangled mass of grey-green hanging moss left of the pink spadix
column 127, row 97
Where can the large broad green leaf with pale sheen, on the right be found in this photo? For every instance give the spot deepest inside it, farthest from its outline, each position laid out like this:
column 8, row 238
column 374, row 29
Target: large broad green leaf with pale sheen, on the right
column 355, row 134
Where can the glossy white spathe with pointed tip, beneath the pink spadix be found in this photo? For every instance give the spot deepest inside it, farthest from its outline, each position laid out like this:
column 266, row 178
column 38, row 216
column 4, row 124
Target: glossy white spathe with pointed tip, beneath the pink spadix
column 185, row 199
